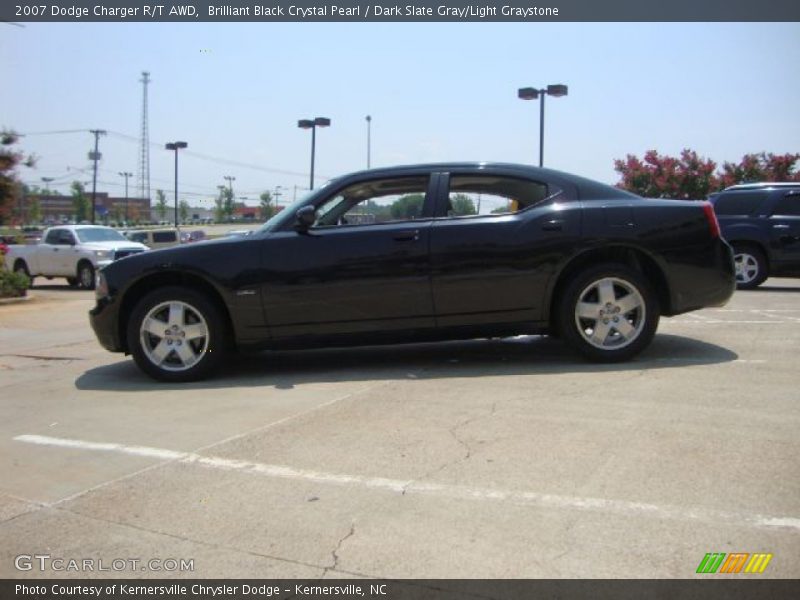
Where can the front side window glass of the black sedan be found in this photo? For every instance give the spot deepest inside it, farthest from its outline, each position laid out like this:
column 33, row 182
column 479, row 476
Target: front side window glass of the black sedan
column 375, row 202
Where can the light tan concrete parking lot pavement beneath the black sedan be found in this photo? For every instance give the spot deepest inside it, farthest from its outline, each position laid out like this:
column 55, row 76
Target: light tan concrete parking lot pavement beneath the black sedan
column 505, row 458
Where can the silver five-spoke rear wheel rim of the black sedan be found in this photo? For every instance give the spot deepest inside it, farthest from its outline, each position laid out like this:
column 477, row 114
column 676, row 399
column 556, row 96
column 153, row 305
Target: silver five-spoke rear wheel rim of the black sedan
column 610, row 313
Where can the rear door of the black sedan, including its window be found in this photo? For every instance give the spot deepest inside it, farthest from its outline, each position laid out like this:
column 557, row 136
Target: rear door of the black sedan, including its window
column 495, row 245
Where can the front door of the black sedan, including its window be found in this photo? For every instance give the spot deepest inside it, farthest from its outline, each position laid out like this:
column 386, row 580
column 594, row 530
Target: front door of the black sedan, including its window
column 363, row 267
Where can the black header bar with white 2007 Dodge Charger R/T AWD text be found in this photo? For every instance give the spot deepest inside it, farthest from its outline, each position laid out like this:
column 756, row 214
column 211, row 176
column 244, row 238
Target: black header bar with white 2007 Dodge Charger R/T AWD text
column 267, row 11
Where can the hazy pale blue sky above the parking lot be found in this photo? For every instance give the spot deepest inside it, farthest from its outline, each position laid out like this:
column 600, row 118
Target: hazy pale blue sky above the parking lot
column 435, row 91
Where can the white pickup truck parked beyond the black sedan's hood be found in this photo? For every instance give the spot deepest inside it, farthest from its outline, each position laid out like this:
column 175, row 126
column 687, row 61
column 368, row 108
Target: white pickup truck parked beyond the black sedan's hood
column 71, row 251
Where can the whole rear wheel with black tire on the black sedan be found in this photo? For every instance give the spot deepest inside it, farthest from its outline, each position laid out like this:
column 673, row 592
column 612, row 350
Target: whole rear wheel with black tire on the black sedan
column 614, row 328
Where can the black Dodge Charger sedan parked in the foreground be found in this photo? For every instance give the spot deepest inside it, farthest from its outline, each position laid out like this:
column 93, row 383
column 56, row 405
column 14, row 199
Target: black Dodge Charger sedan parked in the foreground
column 422, row 253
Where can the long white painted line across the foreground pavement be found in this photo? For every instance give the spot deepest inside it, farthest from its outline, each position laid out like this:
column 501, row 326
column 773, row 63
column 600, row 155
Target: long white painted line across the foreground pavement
column 404, row 487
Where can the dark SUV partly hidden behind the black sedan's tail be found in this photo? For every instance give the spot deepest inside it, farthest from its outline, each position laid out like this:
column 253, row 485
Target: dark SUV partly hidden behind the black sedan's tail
column 762, row 223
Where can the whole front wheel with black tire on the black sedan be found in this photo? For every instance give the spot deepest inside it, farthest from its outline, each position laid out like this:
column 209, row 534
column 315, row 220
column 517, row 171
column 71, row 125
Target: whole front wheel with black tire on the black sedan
column 174, row 355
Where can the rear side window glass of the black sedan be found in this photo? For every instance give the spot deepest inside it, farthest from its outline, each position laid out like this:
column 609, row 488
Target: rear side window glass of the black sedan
column 494, row 195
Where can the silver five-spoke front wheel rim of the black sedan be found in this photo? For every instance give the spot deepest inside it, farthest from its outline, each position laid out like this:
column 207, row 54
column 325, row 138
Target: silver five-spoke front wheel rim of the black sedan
column 174, row 336
